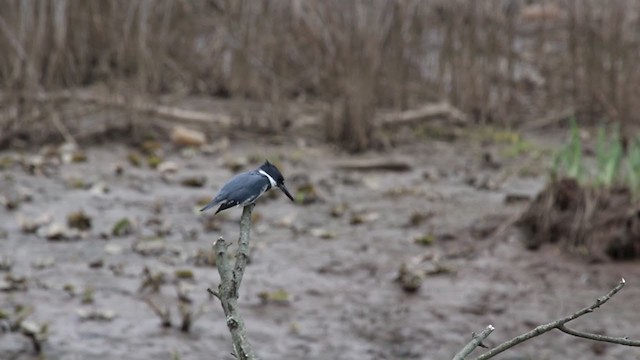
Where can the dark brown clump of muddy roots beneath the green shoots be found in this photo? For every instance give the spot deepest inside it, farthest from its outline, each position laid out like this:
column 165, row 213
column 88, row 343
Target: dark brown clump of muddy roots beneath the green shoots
column 596, row 223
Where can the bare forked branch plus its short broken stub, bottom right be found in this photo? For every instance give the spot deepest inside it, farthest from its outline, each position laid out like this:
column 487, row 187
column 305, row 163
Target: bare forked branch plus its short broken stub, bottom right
column 558, row 324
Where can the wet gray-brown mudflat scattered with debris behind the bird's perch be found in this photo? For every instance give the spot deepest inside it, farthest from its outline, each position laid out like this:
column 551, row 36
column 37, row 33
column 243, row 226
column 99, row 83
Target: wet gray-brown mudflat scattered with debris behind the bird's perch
column 321, row 282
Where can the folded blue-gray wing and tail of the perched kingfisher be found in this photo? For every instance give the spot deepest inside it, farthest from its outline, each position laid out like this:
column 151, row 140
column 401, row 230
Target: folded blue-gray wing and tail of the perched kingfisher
column 242, row 189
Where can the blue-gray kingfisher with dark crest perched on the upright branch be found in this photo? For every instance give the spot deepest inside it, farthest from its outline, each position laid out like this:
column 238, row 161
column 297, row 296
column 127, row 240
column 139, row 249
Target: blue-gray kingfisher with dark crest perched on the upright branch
column 244, row 189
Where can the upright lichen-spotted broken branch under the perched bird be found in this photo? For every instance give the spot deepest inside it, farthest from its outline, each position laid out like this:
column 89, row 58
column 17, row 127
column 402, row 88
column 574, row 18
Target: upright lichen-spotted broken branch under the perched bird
column 230, row 279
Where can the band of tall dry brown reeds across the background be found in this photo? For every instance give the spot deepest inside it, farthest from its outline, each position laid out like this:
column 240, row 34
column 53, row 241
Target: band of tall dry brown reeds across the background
column 506, row 62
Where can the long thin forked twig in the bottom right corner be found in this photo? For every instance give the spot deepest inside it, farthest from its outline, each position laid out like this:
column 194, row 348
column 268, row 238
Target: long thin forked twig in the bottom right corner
column 559, row 324
